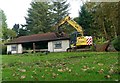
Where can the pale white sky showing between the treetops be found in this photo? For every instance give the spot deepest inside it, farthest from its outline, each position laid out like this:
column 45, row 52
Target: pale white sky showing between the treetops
column 16, row 10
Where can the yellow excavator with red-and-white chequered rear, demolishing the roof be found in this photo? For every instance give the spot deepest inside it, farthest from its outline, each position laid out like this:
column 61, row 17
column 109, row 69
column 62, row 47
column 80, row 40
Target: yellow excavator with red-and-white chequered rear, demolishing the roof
column 78, row 40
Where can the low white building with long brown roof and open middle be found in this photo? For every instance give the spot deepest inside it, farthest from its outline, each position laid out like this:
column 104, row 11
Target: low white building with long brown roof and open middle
column 39, row 42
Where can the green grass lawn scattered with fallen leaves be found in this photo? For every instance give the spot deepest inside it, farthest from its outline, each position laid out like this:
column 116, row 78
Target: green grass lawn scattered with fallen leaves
column 72, row 66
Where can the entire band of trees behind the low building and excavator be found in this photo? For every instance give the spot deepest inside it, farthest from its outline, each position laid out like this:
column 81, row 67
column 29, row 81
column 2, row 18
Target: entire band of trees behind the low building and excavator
column 99, row 20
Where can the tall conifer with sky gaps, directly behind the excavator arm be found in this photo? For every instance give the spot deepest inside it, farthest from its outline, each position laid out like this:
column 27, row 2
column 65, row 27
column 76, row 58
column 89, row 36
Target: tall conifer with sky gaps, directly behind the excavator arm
column 60, row 11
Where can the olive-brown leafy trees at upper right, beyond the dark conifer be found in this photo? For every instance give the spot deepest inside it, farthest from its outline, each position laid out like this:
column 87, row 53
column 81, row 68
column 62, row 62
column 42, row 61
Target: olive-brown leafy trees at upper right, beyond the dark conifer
column 105, row 19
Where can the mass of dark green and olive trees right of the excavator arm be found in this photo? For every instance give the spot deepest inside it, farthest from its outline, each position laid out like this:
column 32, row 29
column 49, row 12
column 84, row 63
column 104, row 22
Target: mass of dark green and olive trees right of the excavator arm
column 100, row 19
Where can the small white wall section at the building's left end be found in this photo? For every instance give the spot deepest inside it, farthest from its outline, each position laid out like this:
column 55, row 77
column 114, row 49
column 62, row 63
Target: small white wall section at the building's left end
column 17, row 48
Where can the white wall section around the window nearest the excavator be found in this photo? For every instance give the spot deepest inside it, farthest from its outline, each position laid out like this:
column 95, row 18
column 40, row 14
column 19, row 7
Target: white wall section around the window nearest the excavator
column 64, row 46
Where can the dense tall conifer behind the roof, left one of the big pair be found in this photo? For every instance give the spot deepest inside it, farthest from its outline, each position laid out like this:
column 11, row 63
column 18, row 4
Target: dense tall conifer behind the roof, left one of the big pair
column 38, row 20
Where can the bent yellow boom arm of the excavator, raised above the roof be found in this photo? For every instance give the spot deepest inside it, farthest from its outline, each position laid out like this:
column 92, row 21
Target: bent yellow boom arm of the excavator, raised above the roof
column 72, row 23
